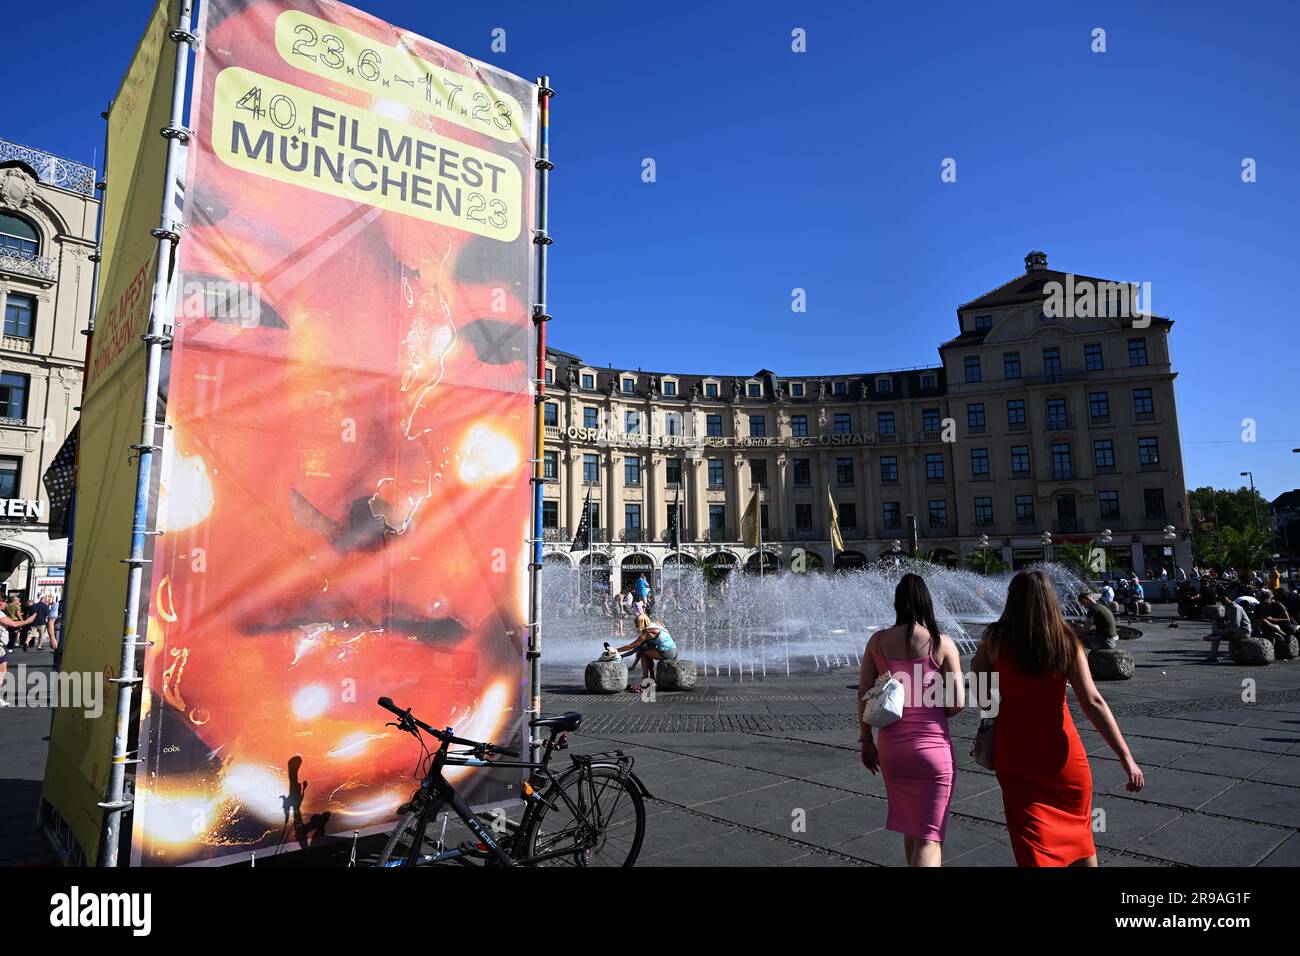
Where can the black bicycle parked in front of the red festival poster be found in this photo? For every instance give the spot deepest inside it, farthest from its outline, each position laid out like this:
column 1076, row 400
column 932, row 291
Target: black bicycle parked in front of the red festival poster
column 591, row 815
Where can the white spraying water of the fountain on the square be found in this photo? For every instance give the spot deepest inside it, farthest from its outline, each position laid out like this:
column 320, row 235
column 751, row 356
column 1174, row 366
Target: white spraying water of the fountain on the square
column 746, row 626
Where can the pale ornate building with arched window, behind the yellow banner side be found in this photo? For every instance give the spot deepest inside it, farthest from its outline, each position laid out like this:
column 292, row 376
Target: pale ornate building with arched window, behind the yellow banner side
column 49, row 211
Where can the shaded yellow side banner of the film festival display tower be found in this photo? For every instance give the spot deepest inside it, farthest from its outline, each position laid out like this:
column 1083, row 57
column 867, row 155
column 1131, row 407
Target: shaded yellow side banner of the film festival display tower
column 81, row 742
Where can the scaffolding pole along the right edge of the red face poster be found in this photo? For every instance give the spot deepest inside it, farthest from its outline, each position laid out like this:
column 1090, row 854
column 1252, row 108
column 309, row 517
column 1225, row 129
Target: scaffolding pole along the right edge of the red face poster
column 543, row 240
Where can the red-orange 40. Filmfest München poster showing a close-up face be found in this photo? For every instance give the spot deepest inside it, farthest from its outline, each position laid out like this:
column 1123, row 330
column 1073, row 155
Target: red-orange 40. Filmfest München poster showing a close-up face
column 346, row 492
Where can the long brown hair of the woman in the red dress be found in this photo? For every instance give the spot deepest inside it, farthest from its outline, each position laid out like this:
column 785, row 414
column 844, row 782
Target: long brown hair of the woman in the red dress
column 1032, row 631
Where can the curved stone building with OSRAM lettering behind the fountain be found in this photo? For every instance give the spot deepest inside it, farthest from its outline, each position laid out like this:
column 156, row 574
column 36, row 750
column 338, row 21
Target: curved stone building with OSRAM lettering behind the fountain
column 1034, row 430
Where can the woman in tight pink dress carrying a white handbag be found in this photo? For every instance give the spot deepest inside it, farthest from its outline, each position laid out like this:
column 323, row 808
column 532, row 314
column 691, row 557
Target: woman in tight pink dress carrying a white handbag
column 916, row 752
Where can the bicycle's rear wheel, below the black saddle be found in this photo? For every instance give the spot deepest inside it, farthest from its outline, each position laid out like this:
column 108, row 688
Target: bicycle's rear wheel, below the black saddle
column 590, row 817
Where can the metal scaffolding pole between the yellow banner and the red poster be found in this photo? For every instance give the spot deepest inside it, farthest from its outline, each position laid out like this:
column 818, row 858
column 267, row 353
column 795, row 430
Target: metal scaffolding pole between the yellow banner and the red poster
column 168, row 236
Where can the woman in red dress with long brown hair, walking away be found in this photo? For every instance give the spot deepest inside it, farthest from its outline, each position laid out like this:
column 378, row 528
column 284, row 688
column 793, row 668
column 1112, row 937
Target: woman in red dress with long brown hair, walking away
column 1038, row 756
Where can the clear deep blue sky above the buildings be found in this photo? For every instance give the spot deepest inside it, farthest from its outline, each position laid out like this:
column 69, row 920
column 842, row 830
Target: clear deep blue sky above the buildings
column 821, row 171
